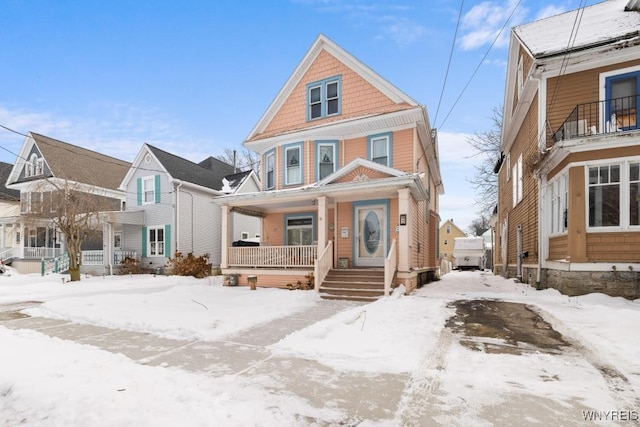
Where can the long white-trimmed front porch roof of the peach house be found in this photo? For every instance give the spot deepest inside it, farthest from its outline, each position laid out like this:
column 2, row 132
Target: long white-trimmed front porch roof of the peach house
column 295, row 198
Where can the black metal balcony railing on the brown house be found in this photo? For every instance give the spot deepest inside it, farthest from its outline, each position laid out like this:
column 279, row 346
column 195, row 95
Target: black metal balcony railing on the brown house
column 600, row 117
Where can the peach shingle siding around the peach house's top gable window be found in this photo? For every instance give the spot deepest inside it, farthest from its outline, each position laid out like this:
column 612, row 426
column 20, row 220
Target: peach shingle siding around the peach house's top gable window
column 358, row 97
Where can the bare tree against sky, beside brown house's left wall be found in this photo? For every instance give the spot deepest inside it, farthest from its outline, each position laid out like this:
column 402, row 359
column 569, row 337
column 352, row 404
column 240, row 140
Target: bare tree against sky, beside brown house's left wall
column 486, row 146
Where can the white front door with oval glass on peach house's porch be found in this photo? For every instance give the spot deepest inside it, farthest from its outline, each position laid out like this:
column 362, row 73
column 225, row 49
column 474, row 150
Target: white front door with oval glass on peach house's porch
column 371, row 235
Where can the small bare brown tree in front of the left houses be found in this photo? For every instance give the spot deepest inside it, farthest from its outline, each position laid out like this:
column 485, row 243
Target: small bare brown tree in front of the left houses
column 74, row 211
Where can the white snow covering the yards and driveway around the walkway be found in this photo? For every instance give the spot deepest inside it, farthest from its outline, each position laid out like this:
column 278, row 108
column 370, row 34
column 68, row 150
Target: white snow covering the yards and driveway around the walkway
column 49, row 381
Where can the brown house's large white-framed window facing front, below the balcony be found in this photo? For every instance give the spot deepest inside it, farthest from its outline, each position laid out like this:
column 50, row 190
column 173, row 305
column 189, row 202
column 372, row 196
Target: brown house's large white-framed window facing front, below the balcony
column 604, row 196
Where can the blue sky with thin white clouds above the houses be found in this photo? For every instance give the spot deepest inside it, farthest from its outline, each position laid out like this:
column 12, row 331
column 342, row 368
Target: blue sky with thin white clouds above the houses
column 194, row 77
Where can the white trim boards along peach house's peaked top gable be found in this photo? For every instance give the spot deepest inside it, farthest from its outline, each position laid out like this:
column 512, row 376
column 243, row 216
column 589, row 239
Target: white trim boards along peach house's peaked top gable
column 324, row 43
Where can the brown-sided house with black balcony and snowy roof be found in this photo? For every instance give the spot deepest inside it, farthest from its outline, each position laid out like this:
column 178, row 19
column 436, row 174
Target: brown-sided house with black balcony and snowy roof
column 569, row 177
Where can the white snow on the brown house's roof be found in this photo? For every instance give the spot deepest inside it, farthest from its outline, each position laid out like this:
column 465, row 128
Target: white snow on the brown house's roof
column 600, row 23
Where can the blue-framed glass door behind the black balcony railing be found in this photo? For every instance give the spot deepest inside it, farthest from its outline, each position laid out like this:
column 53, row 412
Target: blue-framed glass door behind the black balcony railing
column 621, row 92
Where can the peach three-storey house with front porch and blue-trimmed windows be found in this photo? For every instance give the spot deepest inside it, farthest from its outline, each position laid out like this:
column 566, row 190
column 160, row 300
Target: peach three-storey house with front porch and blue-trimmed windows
column 350, row 181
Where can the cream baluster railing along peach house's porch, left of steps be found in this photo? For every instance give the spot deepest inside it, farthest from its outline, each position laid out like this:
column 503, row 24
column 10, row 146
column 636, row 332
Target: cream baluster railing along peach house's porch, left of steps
column 273, row 256
